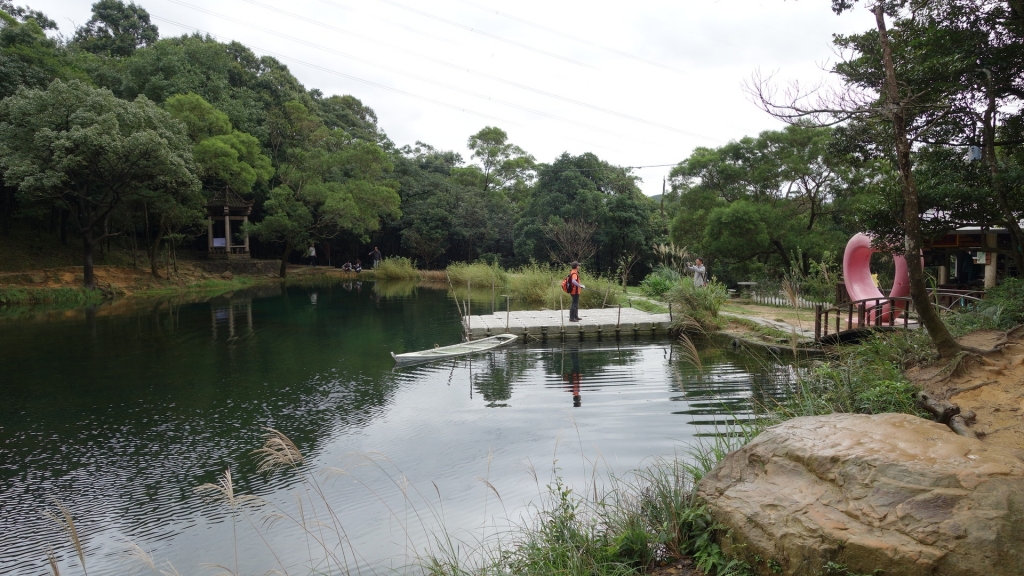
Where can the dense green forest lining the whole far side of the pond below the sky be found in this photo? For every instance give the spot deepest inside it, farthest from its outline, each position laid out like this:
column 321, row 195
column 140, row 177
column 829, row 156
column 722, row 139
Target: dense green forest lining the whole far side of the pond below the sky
column 118, row 138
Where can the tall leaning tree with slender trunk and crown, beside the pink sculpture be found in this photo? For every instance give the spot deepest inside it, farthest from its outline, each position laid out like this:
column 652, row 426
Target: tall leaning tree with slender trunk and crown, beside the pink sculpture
column 914, row 79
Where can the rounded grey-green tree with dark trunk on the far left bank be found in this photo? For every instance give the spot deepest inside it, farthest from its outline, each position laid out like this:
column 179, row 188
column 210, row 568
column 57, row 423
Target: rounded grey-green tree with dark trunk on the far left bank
column 88, row 152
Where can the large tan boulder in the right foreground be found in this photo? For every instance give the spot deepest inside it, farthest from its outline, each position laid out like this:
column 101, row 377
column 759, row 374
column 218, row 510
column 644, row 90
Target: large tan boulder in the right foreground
column 890, row 491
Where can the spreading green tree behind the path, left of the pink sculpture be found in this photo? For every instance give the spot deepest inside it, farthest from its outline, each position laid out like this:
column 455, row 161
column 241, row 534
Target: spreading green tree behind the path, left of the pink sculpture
column 784, row 188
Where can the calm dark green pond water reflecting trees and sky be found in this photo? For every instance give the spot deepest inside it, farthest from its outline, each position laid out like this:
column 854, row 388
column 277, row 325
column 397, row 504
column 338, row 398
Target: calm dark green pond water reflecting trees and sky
column 122, row 414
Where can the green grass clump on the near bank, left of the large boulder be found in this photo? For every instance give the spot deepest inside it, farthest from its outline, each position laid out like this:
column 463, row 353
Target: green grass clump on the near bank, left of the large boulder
column 636, row 520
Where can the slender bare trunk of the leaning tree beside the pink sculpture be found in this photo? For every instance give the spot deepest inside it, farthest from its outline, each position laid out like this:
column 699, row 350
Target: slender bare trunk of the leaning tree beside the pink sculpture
column 944, row 341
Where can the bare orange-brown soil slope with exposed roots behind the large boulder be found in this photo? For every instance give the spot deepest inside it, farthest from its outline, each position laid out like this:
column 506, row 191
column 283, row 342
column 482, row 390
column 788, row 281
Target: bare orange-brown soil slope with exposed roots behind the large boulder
column 993, row 387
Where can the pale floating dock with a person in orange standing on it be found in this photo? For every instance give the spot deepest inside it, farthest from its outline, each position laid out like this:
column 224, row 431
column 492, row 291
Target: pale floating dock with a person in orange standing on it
column 553, row 324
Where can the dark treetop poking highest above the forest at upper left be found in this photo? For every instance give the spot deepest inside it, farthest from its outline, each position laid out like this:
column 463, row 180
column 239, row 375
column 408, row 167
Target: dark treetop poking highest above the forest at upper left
column 116, row 29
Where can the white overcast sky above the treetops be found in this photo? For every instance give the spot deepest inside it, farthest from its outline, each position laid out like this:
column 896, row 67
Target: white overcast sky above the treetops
column 558, row 76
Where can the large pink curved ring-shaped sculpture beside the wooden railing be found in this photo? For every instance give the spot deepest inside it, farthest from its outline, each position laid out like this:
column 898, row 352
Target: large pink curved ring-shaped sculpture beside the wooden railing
column 858, row 271
